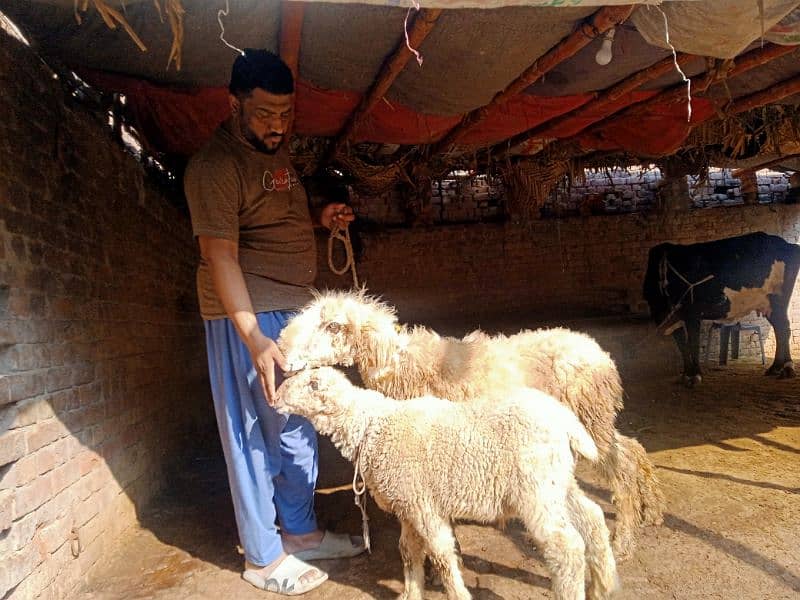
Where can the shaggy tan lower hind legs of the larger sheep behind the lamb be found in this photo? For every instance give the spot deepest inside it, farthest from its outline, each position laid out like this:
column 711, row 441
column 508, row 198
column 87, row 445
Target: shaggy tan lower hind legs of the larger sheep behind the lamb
column 637, row 494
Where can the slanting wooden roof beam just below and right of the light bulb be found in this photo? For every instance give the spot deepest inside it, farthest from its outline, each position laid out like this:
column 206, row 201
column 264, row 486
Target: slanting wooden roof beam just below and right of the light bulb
column 595, row 106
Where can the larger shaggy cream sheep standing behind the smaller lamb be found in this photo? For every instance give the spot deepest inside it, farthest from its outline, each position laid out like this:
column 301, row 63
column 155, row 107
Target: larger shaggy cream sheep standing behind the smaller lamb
column 346, row 328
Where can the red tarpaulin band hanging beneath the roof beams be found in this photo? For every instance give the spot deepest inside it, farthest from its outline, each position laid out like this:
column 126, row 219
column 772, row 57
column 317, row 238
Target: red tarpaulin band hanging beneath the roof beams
column 181, row 121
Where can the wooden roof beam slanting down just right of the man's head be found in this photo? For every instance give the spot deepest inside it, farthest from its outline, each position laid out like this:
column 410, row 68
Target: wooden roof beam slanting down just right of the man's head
column 391, row 69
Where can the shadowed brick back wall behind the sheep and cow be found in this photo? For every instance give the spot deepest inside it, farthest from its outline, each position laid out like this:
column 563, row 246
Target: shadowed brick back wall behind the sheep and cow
column 549, row 270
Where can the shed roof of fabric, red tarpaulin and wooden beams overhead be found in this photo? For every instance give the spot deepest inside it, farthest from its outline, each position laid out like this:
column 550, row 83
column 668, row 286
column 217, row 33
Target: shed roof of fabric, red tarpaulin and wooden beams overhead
column 496, row 82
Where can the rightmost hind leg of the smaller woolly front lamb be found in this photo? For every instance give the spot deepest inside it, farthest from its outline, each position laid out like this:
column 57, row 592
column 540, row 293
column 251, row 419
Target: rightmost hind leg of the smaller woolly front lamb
column 588, row 517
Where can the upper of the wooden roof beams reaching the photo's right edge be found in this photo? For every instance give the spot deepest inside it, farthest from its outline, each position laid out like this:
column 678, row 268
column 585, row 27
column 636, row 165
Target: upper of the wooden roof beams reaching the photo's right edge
column 700, row 83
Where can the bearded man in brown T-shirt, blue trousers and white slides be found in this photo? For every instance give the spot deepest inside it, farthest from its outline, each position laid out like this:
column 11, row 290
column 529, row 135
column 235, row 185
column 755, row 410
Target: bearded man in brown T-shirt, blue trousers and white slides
column 258, row 261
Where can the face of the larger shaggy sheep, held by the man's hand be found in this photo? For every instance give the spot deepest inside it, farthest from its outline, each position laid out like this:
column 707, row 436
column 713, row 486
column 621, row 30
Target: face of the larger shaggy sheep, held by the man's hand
column 322, row 334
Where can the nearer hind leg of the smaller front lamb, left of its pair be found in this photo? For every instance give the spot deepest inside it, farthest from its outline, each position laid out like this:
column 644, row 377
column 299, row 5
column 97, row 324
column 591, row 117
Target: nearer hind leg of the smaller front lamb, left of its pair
column 563, row 547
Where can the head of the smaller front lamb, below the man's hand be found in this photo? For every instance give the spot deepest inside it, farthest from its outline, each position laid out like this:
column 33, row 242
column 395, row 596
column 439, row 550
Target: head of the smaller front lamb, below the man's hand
column 313, row 393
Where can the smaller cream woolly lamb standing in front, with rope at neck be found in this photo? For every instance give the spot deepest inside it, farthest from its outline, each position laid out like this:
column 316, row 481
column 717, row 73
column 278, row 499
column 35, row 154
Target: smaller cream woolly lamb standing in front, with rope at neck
column 429, row 461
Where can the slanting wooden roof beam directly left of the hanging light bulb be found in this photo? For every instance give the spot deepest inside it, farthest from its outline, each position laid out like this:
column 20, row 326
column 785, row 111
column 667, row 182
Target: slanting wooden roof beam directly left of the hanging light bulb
column 603, row 20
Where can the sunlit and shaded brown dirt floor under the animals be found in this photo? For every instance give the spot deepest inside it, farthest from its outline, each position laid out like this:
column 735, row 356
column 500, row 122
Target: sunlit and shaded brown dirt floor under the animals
column 727, row 453
